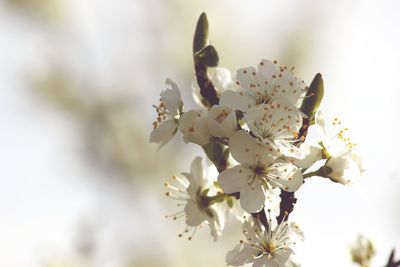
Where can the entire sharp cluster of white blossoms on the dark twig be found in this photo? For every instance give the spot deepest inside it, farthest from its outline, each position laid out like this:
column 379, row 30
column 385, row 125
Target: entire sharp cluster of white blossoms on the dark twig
column 253, row 129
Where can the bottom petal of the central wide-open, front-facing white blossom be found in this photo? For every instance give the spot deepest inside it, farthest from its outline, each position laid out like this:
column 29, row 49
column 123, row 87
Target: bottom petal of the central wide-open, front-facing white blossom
column 252, row 198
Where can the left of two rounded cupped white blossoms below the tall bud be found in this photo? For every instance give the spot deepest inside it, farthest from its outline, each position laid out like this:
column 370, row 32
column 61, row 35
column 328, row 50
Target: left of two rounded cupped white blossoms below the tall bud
column 193, row 124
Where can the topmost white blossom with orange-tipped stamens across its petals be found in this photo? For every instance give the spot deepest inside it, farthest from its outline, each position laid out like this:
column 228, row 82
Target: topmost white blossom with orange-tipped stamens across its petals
column 259, row 86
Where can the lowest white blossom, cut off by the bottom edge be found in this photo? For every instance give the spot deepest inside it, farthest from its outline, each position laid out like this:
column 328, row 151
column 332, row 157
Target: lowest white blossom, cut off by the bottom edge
column 265, row 247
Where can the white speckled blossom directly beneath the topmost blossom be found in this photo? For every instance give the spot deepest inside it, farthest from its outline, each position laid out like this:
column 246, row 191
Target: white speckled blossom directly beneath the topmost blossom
column 278, row 124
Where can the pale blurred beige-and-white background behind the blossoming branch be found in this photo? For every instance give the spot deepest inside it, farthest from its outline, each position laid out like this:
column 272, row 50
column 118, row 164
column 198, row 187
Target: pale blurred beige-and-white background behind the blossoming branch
column 80, row 184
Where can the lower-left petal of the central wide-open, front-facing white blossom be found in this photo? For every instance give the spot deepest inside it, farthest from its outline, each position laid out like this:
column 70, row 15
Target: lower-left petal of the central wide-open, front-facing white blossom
column 233, row 179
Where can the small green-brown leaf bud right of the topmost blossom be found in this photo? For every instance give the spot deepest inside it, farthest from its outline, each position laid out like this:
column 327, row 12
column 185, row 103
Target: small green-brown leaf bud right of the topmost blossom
column 313, row 97
